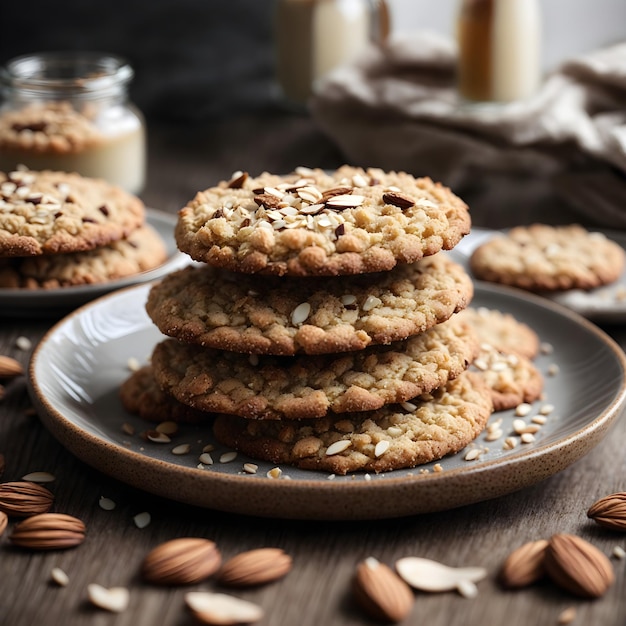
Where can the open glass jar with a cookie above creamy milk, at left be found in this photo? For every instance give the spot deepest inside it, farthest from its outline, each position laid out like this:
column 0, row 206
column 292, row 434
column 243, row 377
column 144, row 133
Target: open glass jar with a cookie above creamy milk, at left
column 70, row 112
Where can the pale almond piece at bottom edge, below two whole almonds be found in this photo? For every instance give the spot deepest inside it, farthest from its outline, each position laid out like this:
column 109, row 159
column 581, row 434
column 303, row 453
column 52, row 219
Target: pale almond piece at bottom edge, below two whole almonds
column 221, row 608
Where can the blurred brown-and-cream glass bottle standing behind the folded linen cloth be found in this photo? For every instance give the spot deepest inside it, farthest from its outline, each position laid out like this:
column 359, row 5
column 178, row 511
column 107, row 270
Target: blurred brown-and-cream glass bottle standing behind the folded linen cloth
column 499, row 43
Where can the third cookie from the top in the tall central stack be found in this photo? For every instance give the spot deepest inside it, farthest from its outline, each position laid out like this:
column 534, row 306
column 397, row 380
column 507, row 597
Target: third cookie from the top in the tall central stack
column 269, row 387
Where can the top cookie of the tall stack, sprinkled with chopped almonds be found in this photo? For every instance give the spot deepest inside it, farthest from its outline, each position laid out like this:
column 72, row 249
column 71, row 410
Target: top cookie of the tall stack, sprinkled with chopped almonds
column 314, row 223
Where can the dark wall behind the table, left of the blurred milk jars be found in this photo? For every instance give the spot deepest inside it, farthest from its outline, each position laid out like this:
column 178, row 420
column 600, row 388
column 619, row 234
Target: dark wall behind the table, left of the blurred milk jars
column 193, row 59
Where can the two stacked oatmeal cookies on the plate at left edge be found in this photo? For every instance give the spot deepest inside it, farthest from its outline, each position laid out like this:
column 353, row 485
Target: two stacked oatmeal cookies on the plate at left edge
column 60, row 229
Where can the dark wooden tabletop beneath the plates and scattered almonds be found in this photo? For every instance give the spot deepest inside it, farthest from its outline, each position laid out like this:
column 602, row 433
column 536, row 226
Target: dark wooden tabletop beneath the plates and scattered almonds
column 317, row 590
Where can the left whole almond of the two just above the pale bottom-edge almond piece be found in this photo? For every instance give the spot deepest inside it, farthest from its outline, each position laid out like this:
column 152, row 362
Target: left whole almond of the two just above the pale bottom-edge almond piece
column 182, row 561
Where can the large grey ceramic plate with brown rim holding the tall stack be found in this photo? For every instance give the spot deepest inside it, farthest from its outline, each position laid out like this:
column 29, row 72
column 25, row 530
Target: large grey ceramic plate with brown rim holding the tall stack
column 78, row 367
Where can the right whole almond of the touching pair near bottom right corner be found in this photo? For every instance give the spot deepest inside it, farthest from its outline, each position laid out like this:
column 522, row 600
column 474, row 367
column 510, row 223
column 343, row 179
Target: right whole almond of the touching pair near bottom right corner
column 577, row 566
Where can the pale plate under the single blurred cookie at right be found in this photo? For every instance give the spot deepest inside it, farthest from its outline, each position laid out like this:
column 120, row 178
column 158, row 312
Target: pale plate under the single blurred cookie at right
column 604, row 304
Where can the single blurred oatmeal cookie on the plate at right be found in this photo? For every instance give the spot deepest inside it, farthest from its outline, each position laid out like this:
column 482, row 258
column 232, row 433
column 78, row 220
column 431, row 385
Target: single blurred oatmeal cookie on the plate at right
column 549, row 258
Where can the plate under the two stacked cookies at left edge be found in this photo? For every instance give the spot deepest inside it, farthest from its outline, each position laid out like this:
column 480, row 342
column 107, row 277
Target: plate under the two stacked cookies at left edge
column 53, row 303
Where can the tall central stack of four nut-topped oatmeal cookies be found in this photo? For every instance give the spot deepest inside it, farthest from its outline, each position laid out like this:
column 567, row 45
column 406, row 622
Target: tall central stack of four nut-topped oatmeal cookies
column 319, row 327
